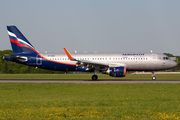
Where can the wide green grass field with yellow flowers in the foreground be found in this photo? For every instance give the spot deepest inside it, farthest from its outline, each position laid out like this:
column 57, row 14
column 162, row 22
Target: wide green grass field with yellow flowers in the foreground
column 89, row 101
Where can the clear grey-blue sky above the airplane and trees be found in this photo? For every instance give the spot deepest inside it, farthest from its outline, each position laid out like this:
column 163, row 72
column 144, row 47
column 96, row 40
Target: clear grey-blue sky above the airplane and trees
column 94, row 25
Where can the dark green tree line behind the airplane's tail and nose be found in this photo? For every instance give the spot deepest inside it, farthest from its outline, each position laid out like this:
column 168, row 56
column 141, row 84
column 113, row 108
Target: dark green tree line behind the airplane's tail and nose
column 8, row 67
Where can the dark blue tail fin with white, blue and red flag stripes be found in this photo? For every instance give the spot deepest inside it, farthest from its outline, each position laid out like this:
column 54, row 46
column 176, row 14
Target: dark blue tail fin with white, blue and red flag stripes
column 20, row 45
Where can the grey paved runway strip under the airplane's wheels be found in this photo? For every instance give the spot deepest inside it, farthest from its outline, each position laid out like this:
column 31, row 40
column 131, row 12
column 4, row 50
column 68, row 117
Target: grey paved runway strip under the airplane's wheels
column 94, row 82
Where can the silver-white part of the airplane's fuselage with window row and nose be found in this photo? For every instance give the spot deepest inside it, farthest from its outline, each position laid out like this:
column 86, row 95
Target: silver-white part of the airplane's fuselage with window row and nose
column 132, row 61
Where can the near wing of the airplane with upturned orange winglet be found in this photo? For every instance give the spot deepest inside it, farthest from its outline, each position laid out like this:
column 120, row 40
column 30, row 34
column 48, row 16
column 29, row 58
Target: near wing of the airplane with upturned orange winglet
column 86, row 63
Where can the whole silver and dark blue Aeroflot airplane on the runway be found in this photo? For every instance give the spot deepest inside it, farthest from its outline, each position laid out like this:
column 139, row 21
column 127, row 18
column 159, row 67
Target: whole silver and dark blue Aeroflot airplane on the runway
column 113, row 64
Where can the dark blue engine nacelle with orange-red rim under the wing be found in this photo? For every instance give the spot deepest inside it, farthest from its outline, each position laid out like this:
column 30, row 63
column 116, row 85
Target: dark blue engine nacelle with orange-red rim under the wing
column 116, row 71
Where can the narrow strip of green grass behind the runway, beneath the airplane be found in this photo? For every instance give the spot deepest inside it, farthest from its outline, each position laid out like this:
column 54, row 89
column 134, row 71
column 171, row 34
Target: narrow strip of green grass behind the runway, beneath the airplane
column 88, row 76
